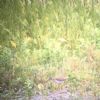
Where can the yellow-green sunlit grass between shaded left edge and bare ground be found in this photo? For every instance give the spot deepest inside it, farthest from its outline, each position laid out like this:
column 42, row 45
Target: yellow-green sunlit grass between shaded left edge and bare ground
column 56, row 41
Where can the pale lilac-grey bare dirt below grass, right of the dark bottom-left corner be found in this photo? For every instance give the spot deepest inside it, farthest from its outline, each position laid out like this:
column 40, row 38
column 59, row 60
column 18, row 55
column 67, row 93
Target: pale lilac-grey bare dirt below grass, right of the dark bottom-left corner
column 65, row 95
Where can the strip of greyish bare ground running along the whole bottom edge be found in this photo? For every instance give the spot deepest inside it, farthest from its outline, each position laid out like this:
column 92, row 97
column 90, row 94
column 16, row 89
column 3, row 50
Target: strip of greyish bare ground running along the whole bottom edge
column 63, row 94
